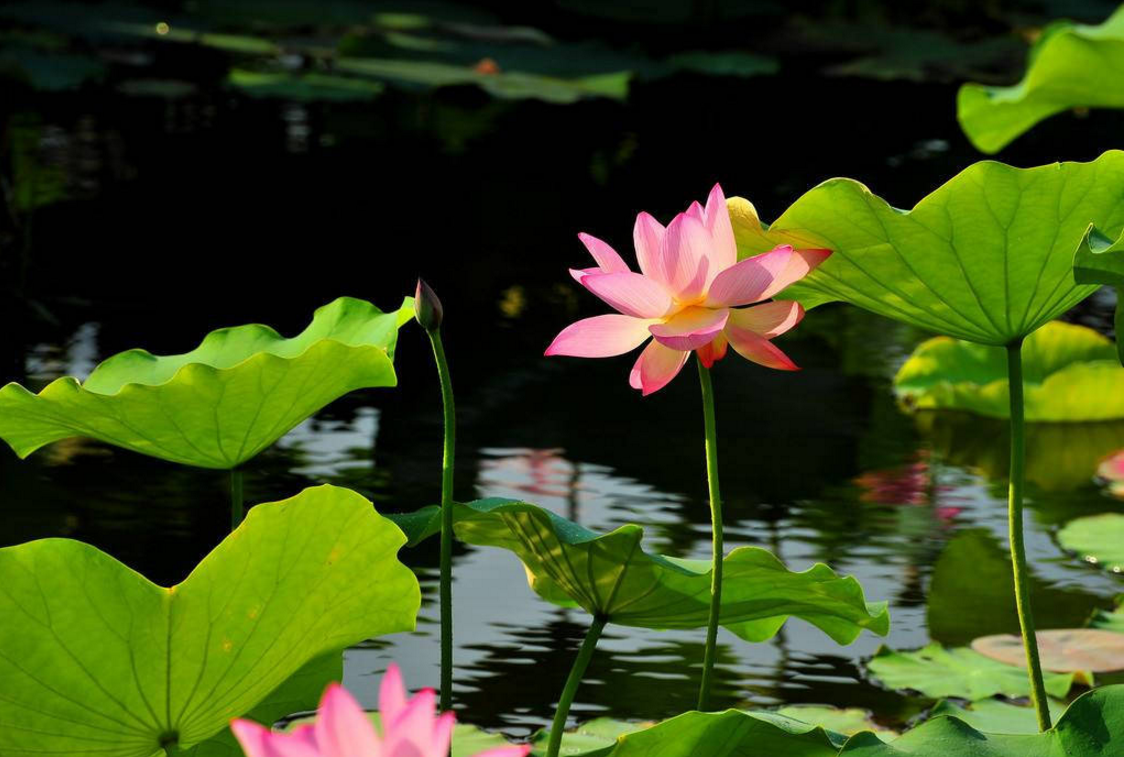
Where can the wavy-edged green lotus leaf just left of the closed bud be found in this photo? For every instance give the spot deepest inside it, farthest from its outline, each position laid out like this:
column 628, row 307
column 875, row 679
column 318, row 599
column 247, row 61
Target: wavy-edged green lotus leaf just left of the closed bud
column 221, row 404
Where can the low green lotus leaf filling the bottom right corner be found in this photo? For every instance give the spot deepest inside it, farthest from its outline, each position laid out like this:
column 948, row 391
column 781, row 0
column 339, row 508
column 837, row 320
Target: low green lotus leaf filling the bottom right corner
column 1092, row 727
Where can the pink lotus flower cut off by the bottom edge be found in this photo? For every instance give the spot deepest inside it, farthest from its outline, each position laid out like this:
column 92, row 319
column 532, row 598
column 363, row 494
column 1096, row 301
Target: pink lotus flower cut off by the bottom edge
column 411, row 728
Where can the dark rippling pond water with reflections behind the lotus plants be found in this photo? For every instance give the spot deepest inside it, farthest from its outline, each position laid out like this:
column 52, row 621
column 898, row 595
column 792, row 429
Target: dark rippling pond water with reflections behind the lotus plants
column 212, row 211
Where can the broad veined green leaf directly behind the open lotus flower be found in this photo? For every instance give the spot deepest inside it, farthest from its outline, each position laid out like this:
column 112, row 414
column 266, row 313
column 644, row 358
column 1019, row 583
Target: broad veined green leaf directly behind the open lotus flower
column 987, row 257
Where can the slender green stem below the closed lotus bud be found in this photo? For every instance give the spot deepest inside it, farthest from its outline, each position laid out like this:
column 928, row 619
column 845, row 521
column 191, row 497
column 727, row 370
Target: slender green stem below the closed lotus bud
column 447, row 522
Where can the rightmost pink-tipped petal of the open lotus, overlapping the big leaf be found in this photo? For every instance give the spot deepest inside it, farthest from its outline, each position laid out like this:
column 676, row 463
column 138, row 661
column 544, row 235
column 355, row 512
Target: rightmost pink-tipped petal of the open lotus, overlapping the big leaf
column 764, row 276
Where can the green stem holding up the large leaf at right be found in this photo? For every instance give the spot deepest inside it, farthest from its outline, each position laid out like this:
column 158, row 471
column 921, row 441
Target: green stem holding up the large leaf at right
column 1016, row 527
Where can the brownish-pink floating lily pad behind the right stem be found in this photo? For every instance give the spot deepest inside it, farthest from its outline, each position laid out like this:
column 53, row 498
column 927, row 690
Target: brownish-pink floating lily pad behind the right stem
column 1062, row 651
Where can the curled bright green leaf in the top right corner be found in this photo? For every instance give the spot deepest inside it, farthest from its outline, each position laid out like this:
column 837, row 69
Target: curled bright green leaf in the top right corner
column 1071, row 66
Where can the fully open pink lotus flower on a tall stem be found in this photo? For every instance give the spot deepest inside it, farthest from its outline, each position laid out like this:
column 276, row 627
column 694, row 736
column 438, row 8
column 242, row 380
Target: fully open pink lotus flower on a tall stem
column 691, row 295
